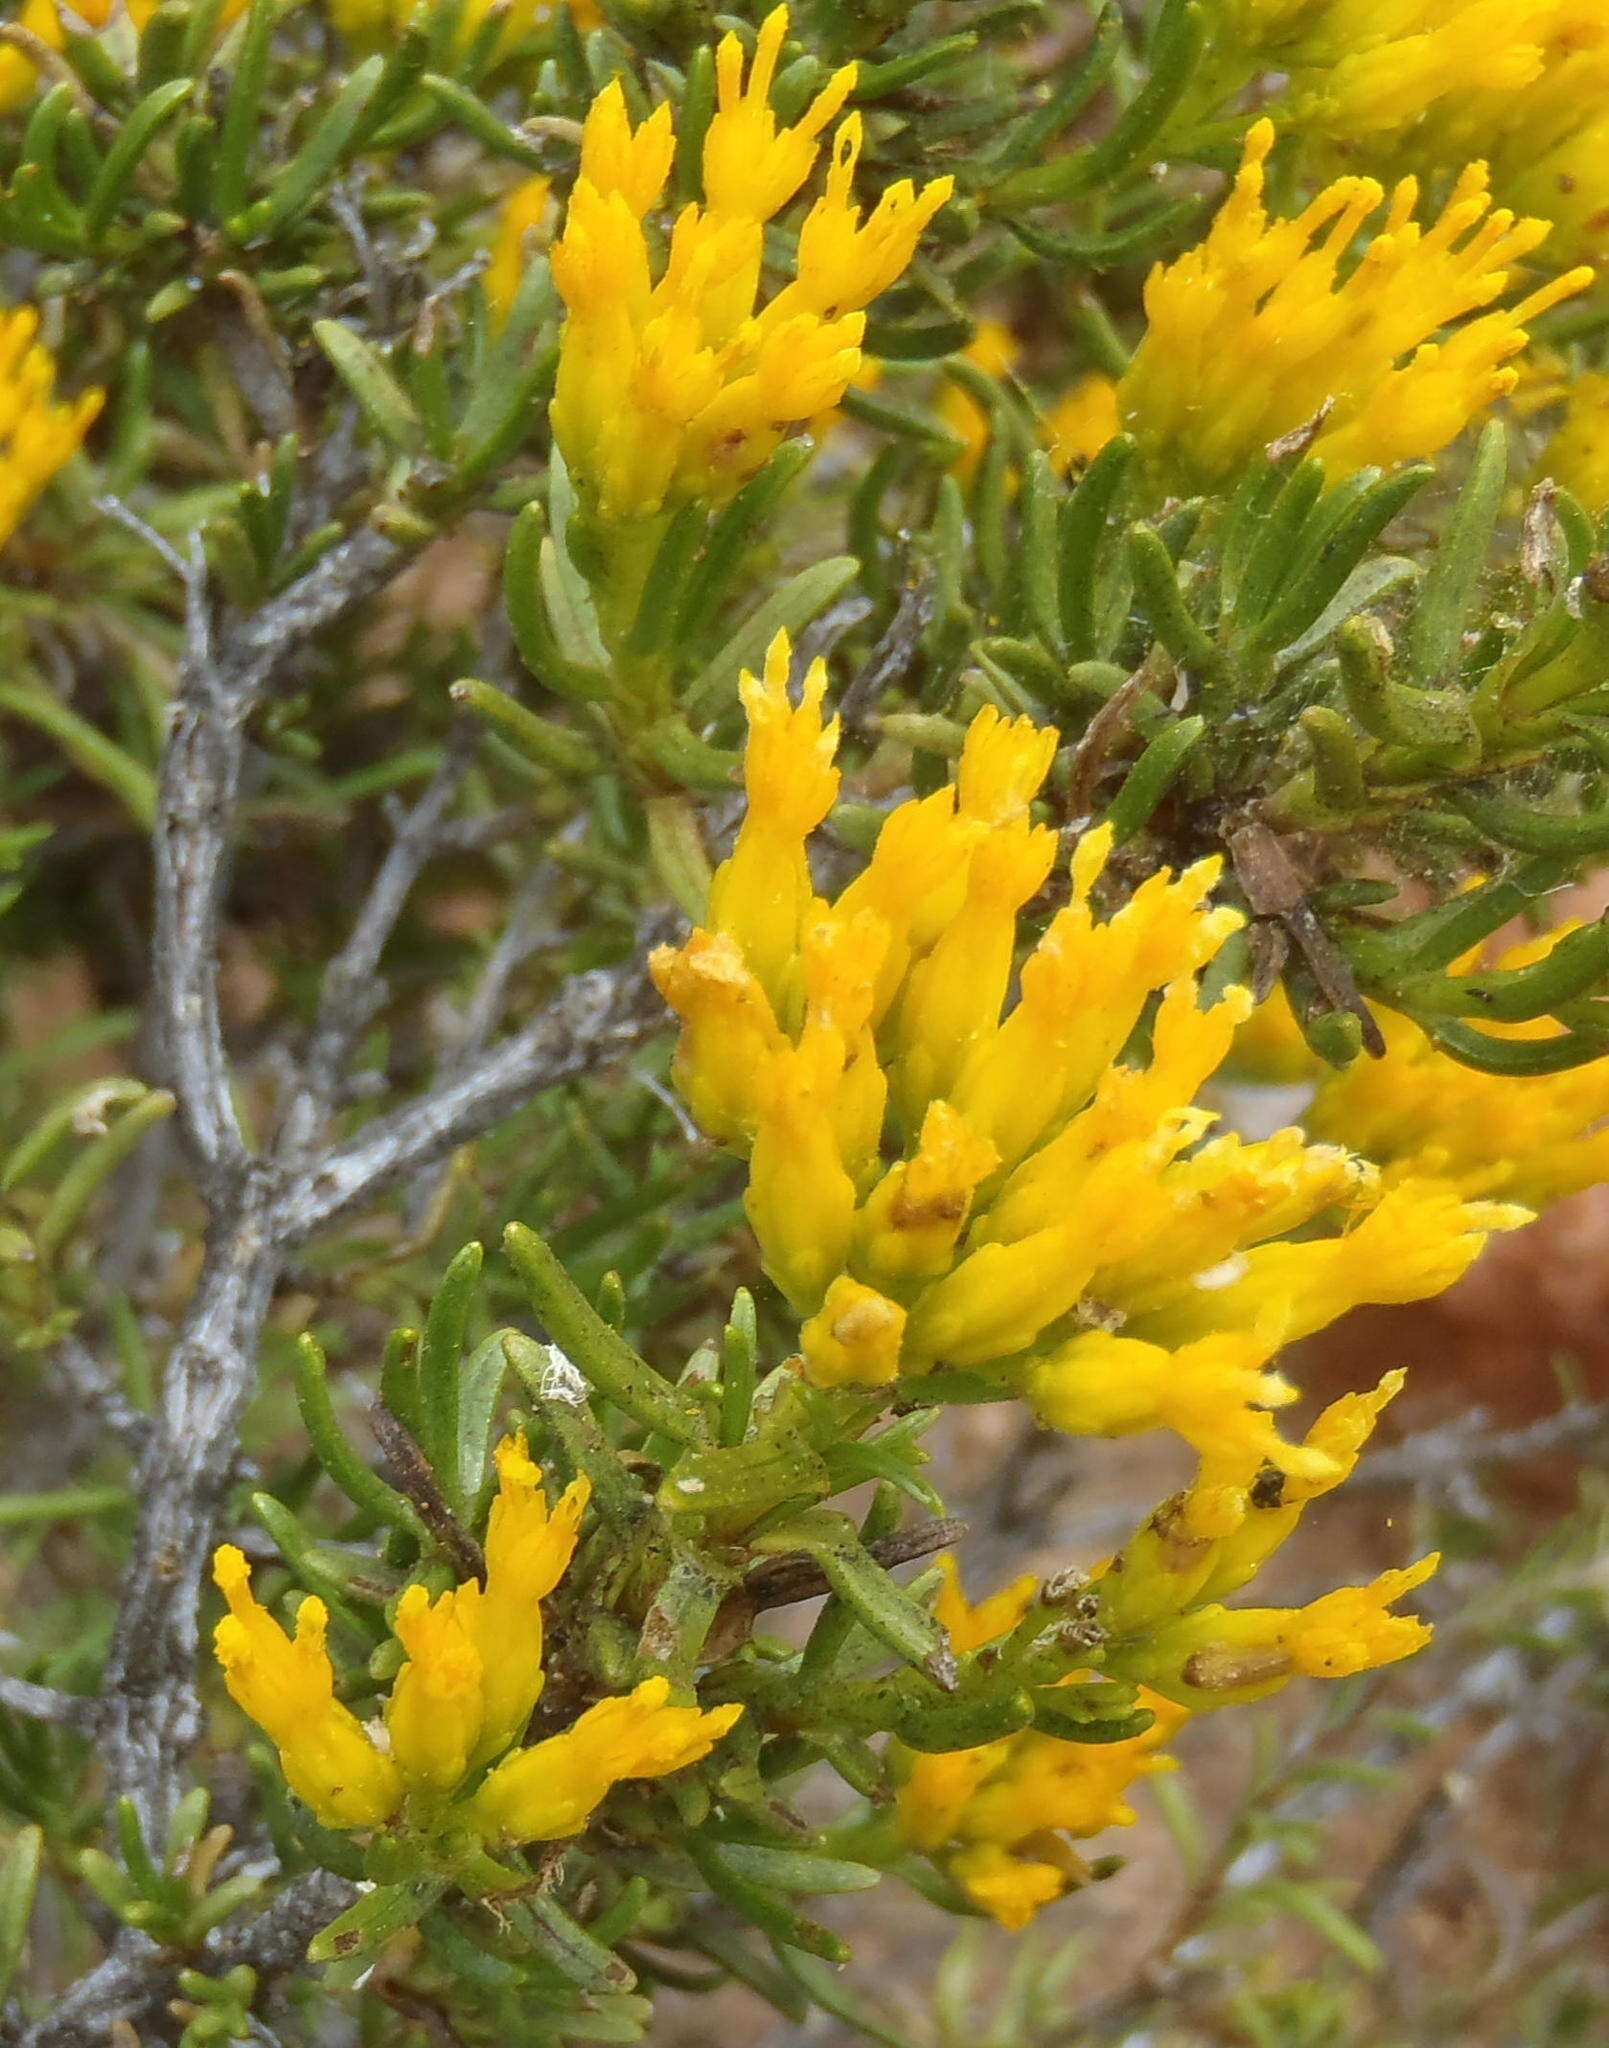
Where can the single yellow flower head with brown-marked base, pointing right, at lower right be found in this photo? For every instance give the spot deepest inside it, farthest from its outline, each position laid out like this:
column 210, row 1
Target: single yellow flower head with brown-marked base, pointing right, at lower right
column 1223, row 1656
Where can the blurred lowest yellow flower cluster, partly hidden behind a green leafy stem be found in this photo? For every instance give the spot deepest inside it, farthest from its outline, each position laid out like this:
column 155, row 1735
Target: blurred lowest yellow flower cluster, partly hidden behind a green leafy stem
column 1000, row 1818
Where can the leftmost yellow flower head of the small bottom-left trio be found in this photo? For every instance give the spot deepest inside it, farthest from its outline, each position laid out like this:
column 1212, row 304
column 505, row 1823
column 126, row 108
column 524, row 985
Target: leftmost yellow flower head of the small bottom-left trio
column 290, row 1691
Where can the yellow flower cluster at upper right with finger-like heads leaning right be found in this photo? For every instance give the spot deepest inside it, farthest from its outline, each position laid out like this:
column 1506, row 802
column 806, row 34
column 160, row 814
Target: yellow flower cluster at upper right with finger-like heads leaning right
column 1258, row 333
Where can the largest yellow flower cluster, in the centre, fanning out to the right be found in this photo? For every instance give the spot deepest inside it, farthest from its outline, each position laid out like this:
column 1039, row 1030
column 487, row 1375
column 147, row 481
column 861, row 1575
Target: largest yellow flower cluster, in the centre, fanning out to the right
column 943, row 1181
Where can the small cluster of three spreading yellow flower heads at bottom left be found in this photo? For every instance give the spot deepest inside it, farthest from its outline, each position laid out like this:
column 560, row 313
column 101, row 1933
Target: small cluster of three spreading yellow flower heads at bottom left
column 464, row 1697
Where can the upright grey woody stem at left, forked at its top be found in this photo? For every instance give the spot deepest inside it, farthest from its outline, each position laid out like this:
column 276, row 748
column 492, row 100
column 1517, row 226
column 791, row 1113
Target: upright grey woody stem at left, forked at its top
column 153, row 1709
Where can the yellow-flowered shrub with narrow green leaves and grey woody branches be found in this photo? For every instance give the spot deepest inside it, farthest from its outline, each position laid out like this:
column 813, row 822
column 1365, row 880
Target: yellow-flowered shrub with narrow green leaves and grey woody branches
column 765, row 660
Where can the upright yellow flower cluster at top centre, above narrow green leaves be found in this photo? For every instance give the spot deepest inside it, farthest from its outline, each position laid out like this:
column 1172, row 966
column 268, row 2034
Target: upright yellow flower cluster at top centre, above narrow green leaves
column 677, row 386
